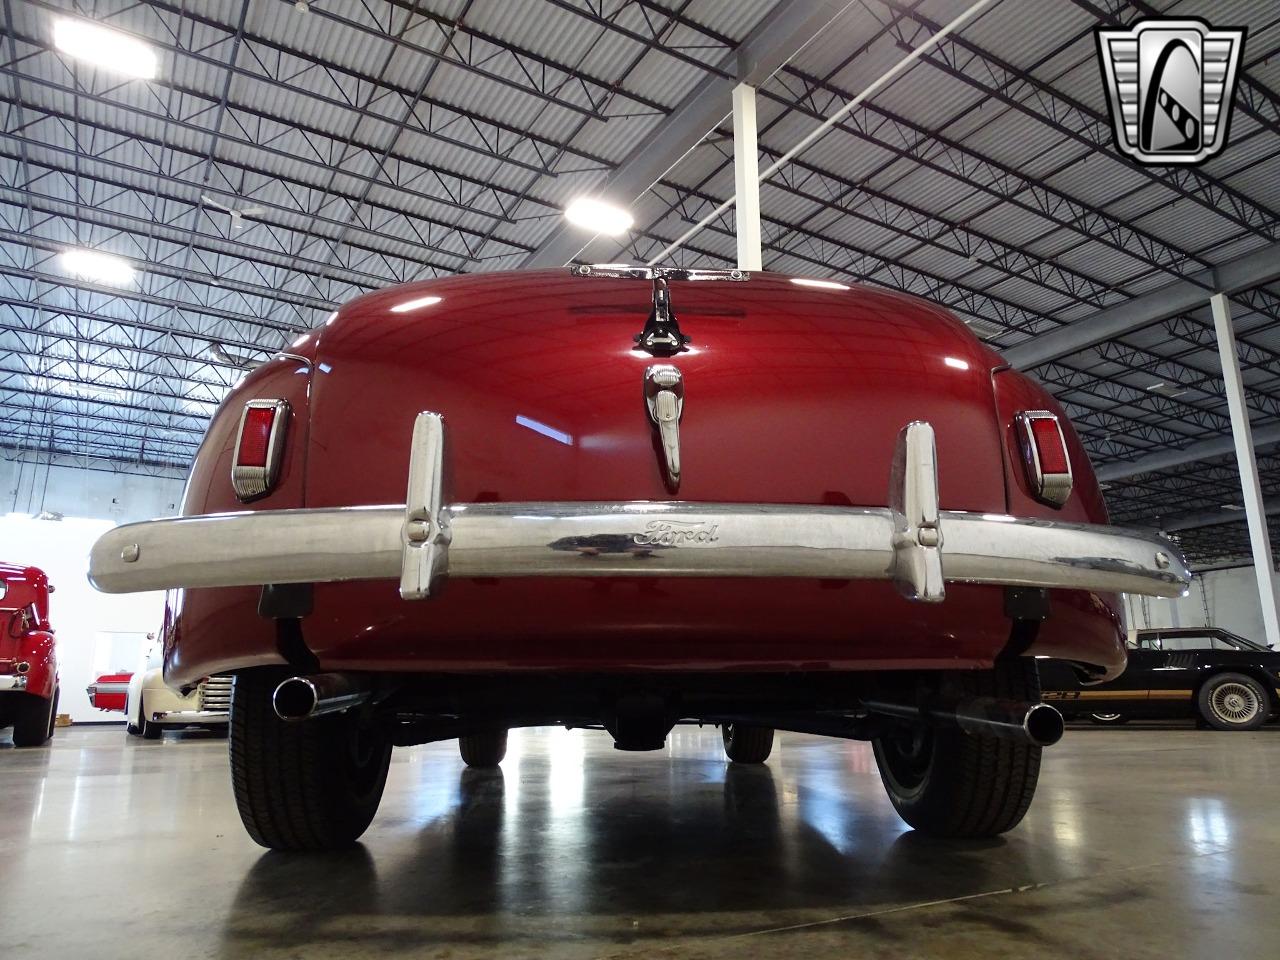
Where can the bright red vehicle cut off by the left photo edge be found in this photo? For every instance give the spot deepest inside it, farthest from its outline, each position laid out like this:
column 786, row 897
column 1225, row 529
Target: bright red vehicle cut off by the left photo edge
column 29, row 662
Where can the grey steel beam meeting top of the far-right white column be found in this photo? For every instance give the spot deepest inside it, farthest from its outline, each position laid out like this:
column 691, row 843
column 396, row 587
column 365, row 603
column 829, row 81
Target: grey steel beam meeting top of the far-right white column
column 1178, row 298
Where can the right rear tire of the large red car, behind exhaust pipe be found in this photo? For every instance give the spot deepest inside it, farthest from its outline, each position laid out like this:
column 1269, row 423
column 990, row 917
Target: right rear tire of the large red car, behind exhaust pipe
column 947, row 783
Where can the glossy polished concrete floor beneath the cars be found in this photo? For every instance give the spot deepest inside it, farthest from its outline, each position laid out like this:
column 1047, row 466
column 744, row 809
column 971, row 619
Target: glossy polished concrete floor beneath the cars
column 1142, row 843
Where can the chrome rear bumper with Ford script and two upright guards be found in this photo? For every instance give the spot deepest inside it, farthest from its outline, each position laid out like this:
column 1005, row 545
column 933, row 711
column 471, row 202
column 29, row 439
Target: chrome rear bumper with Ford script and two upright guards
column 911, row 542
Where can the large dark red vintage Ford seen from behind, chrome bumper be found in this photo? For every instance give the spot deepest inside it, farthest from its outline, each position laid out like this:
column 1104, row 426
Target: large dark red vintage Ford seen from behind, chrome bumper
column 627, row 499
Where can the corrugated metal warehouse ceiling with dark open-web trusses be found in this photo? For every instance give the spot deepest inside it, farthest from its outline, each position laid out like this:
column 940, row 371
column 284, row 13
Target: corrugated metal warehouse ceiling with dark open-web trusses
column 290, row 156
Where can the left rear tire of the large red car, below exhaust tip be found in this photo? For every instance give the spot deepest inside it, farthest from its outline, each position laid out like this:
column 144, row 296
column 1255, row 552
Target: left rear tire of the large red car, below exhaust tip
column 308, row 785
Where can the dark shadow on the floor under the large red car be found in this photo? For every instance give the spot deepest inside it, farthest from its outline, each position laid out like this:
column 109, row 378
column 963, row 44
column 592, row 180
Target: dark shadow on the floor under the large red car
column 702, row 849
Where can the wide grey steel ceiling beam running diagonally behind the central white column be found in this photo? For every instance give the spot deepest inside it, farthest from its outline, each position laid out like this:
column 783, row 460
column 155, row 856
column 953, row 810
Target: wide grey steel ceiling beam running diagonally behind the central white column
column 774, row 42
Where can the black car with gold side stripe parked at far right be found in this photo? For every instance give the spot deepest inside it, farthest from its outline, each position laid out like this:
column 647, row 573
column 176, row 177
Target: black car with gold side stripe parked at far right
column 1213, row 675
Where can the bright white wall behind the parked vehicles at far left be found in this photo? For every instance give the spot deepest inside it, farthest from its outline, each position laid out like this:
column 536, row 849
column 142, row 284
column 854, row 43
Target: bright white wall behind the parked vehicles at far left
column 97, row 633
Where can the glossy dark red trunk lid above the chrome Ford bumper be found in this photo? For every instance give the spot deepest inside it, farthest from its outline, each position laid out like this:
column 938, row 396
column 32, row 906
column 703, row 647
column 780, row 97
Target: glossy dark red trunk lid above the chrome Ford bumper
column 793, row 394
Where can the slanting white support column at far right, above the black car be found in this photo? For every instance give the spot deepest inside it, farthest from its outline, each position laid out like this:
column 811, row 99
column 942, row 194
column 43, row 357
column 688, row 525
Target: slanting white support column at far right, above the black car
column 1249, row 467
